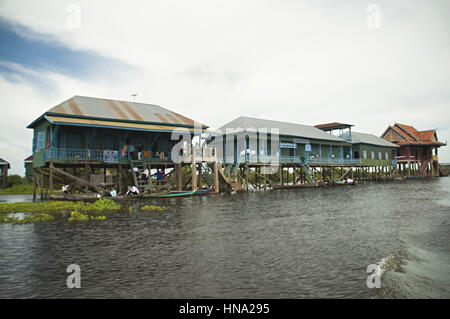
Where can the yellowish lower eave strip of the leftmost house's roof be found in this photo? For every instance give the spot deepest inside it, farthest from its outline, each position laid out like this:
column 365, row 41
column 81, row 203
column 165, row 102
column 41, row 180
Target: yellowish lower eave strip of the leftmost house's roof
column 114, row 124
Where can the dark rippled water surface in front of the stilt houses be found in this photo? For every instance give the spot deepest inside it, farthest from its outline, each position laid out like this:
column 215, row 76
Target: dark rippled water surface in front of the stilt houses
column 275, row 244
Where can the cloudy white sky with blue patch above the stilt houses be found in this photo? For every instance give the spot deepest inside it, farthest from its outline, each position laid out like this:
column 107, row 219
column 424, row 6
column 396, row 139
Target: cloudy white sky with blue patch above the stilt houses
column 307, row 62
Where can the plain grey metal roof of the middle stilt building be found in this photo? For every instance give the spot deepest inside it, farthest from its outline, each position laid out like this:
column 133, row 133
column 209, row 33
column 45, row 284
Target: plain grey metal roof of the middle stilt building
column 250, row 124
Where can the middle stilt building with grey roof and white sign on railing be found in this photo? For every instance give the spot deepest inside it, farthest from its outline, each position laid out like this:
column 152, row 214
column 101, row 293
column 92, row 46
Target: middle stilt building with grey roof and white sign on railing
column 254, row 140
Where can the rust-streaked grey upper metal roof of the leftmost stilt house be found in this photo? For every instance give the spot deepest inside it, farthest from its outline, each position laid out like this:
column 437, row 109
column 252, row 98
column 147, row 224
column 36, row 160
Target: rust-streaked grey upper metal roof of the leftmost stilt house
column 89, row 107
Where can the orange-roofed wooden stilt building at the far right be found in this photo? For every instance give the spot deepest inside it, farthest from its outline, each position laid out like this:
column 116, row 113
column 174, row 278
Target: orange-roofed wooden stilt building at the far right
column 415, row 148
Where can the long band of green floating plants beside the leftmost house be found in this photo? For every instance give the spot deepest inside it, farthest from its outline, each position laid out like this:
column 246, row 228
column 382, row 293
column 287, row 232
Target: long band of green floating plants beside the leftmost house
column 56, row 206
